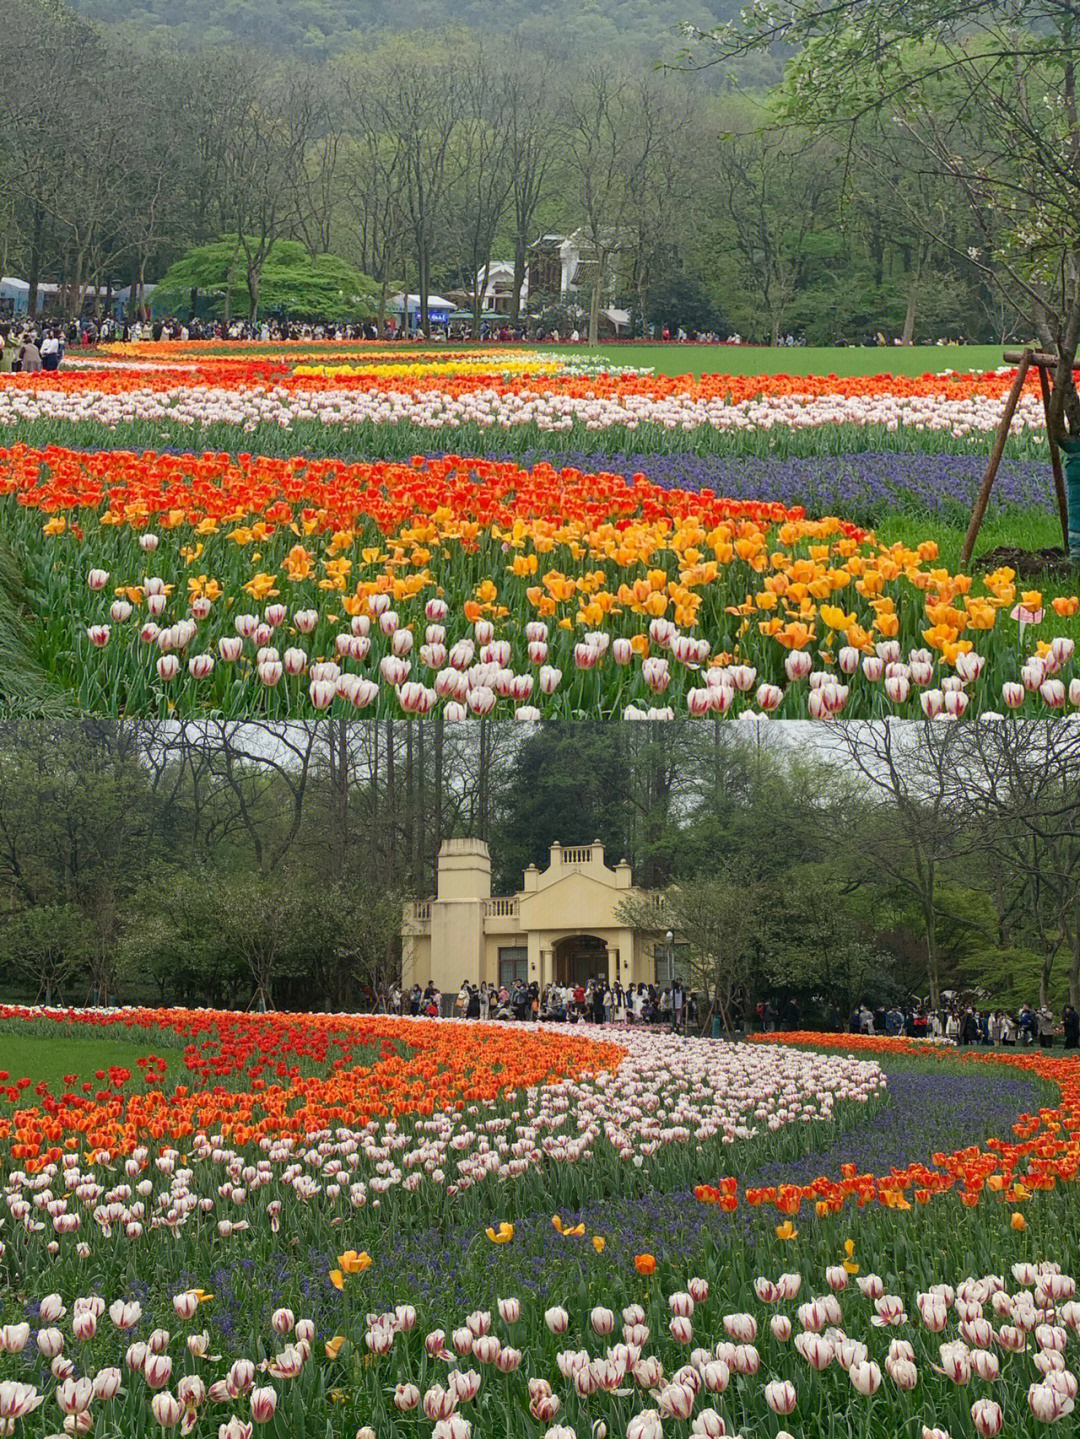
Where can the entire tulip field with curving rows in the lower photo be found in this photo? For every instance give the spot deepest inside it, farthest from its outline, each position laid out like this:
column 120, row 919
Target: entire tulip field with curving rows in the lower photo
column 320, row 1227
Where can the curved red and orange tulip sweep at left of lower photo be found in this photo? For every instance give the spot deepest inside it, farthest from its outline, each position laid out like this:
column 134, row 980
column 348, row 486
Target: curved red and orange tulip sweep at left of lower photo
column 268, row 1061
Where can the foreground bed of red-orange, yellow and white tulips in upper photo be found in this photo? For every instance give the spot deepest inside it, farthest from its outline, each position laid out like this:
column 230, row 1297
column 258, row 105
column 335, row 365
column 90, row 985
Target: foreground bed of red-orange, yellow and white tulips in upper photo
column 477, row 582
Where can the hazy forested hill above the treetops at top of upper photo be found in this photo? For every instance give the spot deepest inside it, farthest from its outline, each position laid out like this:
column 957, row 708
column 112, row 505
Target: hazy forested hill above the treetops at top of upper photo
column 316, row 28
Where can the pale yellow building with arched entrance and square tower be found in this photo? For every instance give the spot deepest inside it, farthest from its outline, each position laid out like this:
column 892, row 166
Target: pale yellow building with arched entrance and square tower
column 563, row 926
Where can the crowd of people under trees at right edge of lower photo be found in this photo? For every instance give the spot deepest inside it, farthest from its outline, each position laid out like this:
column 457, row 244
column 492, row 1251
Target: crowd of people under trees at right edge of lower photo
column 966, row 1025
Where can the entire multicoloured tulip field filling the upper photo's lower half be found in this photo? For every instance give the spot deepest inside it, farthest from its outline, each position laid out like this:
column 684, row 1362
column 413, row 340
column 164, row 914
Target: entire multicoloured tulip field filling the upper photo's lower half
column 287, row 532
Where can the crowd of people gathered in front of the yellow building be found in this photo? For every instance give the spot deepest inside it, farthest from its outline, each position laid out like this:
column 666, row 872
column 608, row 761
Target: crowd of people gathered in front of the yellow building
column 598, row 1002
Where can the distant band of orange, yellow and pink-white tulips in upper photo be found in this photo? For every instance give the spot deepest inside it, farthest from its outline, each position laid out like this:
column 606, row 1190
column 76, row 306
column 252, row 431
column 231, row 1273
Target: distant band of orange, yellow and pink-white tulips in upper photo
column 390, row 404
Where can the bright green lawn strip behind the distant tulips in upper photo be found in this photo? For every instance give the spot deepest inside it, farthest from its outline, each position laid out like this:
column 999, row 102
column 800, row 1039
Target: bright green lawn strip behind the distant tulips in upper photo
column 835, row 360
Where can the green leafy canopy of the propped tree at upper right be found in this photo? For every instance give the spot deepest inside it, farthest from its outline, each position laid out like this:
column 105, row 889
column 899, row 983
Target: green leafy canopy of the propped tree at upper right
column 979, row 93
